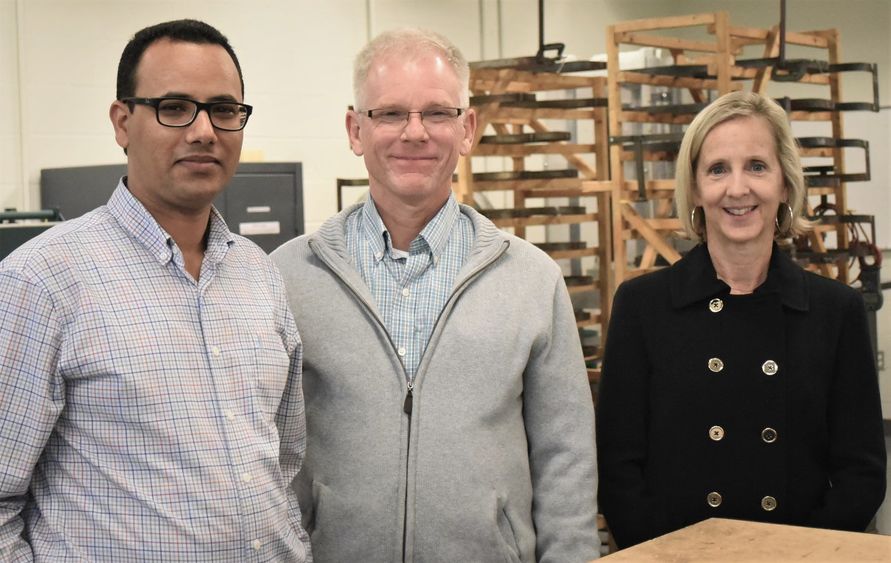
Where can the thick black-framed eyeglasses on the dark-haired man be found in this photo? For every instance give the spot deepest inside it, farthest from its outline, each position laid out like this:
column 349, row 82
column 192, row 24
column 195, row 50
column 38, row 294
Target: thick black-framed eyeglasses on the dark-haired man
column 182, row 112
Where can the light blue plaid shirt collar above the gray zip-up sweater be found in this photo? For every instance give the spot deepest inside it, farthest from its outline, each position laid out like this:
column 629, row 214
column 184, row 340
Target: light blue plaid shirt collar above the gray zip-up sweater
column 433, row 237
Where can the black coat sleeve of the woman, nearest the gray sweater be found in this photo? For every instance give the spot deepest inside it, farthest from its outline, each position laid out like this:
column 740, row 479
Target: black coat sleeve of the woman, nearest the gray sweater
column 633, row 515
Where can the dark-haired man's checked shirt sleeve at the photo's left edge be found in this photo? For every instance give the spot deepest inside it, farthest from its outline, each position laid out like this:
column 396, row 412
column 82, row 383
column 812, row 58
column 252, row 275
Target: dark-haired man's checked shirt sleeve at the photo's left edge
column 31, row 398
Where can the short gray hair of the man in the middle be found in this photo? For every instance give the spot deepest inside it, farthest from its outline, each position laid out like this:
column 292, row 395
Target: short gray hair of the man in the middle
column 408, row 42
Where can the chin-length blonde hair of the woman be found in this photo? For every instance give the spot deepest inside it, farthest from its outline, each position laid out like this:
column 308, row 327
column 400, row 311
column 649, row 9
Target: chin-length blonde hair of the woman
column 732, row 106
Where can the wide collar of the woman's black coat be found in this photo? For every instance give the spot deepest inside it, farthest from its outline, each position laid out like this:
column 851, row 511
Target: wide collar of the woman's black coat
column 694, row 279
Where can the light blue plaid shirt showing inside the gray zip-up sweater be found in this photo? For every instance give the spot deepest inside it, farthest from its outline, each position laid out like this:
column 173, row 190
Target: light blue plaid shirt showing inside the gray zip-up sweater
column 410, row 289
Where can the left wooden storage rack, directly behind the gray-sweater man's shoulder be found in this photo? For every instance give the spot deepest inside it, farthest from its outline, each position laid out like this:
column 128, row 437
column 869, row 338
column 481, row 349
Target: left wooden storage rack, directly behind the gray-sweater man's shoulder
column 518, row 112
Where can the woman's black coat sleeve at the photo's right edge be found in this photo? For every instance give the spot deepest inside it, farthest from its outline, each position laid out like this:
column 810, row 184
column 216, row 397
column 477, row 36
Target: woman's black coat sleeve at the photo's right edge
column 856, row 450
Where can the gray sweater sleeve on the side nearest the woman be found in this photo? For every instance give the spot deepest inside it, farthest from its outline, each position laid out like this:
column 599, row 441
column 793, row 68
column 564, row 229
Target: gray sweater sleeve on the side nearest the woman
column 559, row 417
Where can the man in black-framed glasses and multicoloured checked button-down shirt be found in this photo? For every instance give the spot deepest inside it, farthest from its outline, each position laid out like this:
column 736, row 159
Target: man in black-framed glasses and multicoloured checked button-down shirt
column 151, row 405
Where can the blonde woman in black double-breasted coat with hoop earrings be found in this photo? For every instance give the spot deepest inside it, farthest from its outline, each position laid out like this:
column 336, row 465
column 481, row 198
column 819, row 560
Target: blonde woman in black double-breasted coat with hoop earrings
column 735, row 384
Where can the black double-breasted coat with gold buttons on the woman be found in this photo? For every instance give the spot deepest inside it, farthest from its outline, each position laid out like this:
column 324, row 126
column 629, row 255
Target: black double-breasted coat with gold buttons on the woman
column 758, row 407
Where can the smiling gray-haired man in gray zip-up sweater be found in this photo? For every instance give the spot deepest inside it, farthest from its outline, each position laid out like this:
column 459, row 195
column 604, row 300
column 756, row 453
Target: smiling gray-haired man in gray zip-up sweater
column 448, row 412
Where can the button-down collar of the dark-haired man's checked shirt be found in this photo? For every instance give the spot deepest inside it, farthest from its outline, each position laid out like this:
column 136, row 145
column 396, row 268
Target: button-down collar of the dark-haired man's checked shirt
column 135, row 219
